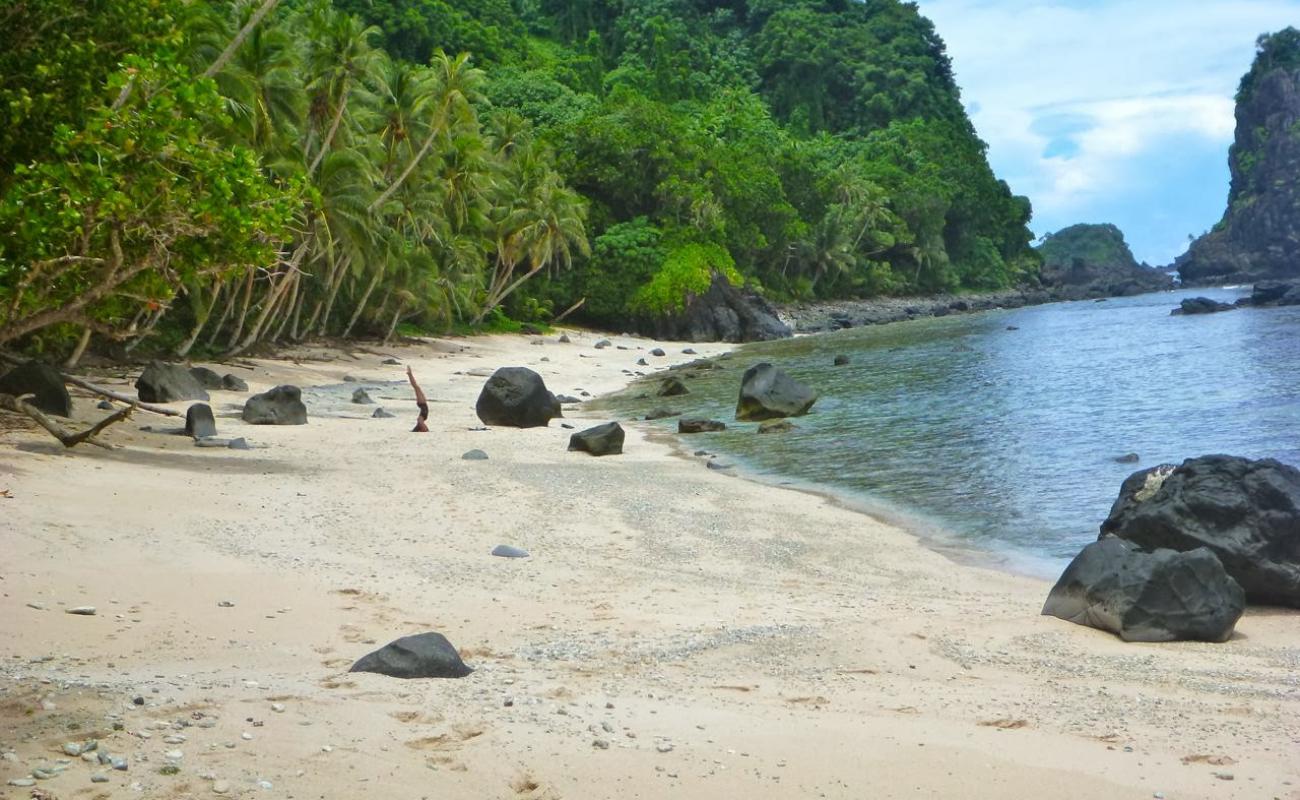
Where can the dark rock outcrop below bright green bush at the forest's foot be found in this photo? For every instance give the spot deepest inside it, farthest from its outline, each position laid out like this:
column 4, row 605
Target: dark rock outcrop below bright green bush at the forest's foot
column 722, row 314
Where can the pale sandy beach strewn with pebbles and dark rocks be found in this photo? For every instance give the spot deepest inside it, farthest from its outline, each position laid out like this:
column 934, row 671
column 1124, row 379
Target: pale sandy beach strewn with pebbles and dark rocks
column 677, row 632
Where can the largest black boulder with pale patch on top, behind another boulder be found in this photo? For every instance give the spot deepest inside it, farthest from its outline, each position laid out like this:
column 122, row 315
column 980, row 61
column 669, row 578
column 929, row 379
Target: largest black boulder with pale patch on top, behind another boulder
column 1246, row 512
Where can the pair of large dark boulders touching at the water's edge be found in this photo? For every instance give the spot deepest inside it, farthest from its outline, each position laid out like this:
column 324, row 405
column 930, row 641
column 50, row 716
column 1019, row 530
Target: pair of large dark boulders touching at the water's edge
column 1186, row 548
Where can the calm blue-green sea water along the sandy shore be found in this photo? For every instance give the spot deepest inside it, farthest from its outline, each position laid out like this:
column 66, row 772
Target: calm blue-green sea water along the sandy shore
column 1003, row 442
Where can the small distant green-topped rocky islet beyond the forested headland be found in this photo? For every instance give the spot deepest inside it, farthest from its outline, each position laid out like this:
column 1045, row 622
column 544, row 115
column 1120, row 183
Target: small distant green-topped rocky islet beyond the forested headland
column 1094, row 261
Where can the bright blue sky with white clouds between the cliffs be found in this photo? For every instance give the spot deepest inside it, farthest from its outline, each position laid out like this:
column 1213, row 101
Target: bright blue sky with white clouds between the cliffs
column 1110, row 111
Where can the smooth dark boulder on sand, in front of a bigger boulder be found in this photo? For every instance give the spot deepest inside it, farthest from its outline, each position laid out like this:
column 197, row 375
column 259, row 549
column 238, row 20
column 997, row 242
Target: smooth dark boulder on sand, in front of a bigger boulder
column 1160, row 596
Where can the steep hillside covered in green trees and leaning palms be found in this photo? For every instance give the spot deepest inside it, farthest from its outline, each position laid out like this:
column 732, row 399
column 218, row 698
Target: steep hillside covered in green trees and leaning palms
column 213, row 175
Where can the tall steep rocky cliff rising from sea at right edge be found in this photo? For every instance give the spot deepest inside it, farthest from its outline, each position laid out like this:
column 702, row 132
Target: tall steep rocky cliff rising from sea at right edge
column 1259, row 236
